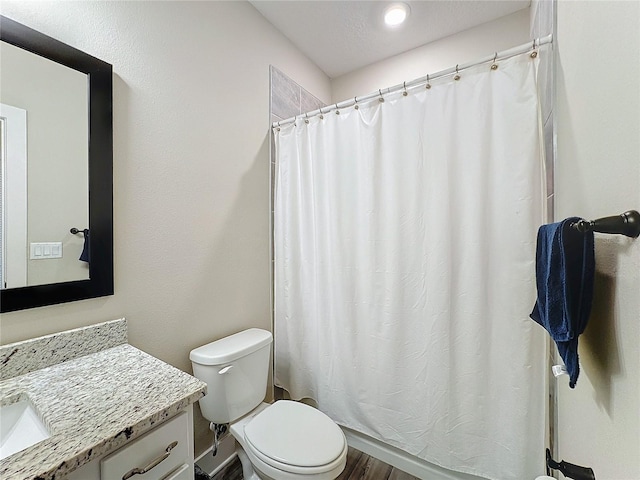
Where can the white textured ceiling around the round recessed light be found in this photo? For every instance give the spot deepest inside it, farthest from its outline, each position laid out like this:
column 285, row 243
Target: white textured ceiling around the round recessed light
column 344, row 35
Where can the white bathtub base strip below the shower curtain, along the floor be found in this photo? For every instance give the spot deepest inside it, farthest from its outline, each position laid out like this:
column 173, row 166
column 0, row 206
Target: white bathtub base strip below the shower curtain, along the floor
column 400, row 459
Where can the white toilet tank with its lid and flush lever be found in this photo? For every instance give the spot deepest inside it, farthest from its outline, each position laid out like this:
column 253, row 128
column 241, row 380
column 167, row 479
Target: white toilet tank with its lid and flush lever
column 235, row 369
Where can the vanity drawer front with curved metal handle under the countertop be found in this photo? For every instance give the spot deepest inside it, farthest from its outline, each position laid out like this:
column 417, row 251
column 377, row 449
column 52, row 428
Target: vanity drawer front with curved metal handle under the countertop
column 152, row 452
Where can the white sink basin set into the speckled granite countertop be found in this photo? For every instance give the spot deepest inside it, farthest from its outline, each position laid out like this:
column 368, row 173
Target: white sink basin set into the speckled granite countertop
column 20, row 427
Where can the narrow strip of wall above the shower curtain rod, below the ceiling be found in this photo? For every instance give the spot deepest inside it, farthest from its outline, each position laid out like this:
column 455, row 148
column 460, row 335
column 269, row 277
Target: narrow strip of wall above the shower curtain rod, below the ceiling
column 463, row 47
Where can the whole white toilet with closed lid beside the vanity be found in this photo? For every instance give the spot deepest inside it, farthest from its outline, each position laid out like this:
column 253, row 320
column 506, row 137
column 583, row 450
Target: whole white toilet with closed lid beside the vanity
column 285, row 440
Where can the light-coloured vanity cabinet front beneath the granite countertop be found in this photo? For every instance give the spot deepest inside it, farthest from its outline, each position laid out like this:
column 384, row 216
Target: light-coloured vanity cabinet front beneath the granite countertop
column 164, row 453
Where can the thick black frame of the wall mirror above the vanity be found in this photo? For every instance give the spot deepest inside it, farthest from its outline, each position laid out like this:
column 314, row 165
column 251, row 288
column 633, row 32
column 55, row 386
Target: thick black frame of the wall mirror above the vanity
column 100, row 173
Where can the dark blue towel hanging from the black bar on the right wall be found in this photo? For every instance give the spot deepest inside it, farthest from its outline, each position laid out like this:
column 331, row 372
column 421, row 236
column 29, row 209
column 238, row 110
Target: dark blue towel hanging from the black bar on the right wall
column 565, row 268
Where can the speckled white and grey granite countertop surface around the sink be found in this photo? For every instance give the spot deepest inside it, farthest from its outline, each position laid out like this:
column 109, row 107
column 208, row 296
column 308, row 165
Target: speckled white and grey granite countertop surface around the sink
column 94, row 404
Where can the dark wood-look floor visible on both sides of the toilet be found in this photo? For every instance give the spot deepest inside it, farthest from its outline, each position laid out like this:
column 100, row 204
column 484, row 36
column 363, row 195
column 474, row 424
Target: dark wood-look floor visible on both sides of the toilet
column 359, row 467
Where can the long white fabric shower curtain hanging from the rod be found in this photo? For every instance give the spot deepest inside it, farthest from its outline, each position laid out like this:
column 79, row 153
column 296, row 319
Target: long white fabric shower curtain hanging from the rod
column 404, row 270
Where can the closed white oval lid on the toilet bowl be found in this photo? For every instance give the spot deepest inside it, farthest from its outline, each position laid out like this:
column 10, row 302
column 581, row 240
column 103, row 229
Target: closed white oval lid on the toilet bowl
column 295, row 434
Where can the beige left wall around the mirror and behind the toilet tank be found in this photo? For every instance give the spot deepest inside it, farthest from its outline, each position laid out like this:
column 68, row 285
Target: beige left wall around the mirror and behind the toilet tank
column 191, row 168
